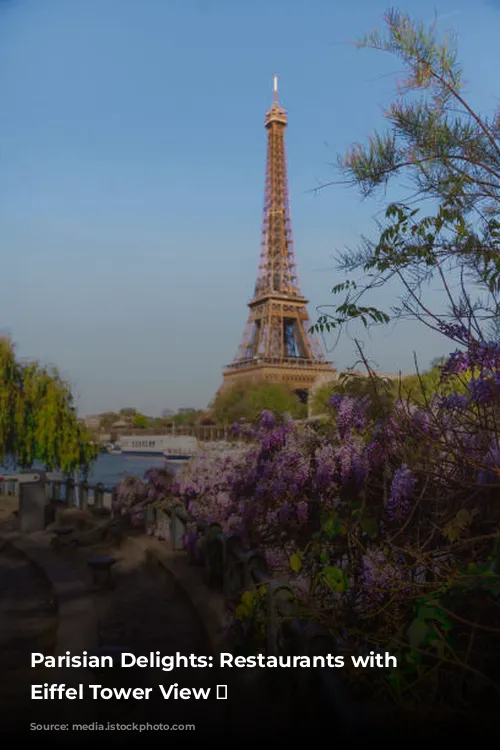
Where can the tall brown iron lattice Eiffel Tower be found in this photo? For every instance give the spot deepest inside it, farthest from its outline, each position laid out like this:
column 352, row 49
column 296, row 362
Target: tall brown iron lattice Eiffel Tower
column 277, row 345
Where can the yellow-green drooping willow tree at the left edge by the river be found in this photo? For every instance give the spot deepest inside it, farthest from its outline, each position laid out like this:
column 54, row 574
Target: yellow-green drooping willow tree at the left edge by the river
column 38, row 420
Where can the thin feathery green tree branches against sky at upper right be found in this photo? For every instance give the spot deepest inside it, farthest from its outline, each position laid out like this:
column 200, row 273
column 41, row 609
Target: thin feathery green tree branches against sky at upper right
column 446, row 231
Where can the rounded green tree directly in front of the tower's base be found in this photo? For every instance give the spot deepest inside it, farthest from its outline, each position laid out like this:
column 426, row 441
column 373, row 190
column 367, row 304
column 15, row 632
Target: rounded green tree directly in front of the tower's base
column 246, row 399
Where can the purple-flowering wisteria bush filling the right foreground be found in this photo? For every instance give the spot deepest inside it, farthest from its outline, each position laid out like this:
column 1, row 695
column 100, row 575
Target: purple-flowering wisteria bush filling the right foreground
column 388, row 529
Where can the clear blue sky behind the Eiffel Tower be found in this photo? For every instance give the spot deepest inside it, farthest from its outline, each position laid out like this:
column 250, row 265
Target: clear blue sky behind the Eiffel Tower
column 132, row 154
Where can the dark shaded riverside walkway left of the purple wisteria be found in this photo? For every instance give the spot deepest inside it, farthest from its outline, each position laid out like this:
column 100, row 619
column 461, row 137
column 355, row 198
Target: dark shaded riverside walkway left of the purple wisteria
column 145, row 611
